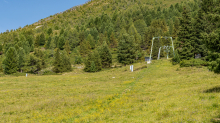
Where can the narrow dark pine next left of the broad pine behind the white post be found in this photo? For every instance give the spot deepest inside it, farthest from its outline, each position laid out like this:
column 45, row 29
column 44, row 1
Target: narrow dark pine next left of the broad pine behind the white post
column 105, row 55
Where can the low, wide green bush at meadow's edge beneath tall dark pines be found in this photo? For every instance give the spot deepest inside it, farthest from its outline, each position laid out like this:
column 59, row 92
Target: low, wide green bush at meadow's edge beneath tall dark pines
column 193, row 62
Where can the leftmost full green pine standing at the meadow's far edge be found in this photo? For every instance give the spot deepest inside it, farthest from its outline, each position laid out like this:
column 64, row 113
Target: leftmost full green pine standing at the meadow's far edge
column 11, row 61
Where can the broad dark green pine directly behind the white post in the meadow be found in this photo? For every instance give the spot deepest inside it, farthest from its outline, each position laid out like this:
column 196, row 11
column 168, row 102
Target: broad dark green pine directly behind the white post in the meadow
column 126, row 50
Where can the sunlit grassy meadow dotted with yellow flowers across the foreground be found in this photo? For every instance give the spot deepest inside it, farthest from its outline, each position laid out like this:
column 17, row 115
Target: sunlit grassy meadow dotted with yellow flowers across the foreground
column 159, row 93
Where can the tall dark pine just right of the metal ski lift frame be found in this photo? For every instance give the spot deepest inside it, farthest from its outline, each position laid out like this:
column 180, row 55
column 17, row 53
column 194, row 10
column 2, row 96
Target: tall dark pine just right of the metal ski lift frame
column 184, row 44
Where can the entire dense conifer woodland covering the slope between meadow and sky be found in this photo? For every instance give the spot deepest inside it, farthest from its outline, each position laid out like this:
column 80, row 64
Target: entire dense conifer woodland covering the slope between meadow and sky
column 90, row 34
